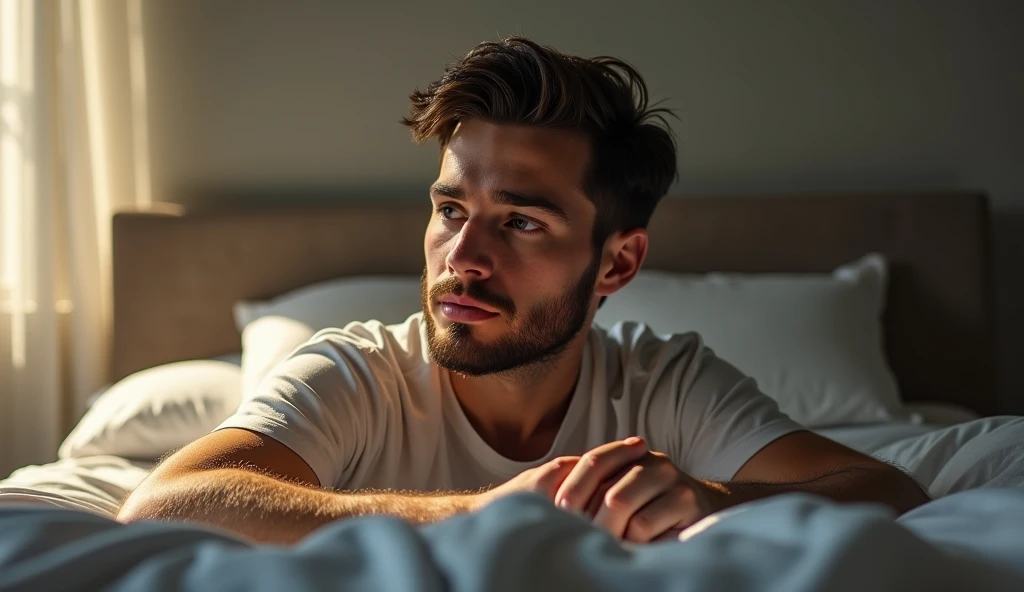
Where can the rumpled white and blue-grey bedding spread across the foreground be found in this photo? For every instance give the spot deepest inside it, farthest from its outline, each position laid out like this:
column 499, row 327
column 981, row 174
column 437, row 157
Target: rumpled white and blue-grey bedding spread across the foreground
column 971, row 537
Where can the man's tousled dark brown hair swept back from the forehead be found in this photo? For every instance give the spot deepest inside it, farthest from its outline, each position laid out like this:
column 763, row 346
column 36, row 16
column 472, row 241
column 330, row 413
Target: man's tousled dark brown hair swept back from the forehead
column 520, row 82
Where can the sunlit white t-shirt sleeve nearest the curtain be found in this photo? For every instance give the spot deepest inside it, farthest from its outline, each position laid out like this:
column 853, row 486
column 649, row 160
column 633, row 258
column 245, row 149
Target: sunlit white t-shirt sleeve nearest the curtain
column 324, row 403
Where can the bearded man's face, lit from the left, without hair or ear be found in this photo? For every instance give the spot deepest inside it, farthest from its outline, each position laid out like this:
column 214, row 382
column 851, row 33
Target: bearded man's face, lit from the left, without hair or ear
column 510, row 266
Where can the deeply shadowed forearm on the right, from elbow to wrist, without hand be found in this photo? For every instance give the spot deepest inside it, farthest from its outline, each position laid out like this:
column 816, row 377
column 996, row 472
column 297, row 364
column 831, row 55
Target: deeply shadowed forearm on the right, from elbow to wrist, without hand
column 874, row 485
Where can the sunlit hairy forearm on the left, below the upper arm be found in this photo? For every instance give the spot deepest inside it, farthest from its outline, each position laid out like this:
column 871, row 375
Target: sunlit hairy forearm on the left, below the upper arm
column 271, row 511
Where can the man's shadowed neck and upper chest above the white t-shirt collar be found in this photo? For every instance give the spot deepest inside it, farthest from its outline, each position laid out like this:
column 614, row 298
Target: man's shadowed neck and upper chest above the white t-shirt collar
column 519, row 413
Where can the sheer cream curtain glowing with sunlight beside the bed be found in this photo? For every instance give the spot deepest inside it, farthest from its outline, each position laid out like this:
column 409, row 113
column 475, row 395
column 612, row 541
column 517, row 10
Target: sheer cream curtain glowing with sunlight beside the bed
column 73, row 150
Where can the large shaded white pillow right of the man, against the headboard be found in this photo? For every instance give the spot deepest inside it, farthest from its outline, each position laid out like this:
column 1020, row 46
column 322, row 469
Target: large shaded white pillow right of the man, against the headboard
column 814, row 343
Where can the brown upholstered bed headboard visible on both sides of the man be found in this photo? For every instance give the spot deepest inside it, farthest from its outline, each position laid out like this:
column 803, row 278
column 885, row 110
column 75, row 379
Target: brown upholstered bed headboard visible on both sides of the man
column 178, row 273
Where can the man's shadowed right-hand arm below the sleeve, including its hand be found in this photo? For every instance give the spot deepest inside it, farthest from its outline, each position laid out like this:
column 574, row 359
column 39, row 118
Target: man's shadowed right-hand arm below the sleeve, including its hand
column 643, row 496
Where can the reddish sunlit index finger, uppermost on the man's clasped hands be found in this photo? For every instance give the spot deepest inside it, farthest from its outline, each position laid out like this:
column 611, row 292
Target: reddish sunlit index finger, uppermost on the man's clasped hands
column 598, row 467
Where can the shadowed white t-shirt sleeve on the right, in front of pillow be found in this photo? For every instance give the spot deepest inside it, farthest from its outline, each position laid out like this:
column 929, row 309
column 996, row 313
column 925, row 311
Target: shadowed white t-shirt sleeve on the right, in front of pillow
column 722, row 418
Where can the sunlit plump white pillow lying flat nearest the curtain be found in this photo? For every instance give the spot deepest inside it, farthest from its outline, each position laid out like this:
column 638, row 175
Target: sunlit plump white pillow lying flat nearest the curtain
column 152, row 412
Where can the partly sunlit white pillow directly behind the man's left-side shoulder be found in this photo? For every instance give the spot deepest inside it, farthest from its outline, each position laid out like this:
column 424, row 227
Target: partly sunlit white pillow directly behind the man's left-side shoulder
column 273, row 329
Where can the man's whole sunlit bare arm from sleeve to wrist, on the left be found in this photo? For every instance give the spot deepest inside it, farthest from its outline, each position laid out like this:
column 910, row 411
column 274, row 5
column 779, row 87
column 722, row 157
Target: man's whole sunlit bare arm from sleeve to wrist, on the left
column 257, row 487
